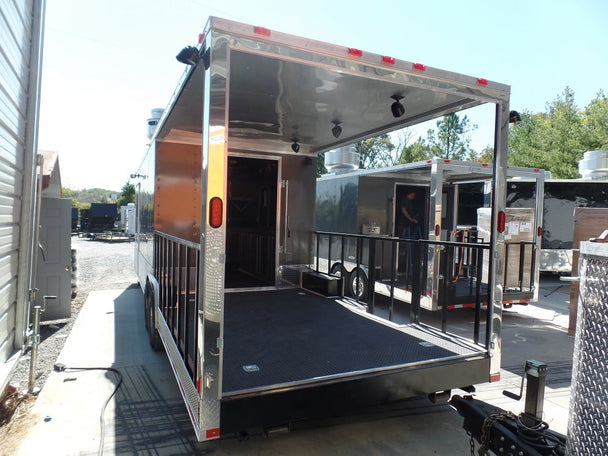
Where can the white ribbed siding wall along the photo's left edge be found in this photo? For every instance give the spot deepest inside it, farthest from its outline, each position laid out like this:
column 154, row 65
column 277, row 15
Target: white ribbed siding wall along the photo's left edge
column 21, row 31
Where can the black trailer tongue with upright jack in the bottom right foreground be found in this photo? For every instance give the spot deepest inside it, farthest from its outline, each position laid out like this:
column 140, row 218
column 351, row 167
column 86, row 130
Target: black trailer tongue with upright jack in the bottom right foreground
column 504, row 433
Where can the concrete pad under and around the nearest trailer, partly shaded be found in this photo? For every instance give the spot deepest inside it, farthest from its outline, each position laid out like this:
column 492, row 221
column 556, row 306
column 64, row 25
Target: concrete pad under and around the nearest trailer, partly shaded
column 147, row 415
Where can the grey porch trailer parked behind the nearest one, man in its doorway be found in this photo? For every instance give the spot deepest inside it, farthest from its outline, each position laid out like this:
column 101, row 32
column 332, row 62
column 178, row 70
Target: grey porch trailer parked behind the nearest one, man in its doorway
column 450, row 195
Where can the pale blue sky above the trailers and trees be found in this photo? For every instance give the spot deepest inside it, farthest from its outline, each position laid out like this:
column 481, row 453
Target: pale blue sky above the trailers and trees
column 108, row 63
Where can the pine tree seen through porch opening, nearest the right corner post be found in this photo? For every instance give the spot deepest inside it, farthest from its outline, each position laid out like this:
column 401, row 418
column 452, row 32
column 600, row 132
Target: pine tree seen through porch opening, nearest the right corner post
column 452, row 139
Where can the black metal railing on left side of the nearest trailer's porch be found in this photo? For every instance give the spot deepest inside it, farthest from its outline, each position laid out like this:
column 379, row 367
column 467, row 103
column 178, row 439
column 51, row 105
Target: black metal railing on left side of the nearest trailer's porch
column 176, row 269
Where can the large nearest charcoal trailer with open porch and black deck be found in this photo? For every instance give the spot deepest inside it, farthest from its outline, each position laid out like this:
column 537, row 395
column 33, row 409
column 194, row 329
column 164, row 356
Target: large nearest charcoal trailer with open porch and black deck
column 226, row 227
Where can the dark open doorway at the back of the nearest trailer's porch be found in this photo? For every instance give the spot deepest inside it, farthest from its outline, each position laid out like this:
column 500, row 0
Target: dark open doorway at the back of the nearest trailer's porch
column 251, row 222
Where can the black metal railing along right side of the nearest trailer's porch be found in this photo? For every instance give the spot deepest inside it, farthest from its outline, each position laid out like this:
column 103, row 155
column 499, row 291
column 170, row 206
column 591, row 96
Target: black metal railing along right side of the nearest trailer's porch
column 435, row 275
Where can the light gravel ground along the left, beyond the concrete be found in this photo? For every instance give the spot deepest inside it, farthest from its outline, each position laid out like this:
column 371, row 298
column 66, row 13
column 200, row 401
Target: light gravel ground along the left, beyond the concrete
column 99, row 266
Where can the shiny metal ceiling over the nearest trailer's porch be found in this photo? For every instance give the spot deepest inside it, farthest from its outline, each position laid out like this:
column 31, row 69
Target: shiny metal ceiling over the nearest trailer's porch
column 274, row 101
